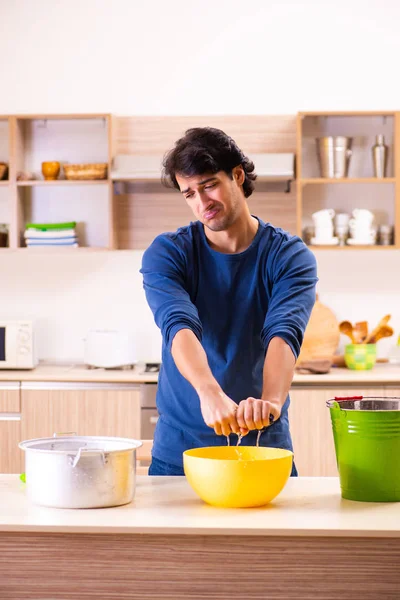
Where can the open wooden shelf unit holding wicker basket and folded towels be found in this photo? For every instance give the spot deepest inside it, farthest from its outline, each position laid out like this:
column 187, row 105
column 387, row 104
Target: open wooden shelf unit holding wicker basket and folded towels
column 66, row 138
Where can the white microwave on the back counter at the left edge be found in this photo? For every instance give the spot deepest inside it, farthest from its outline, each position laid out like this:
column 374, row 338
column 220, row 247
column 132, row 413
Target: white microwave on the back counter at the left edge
column 17, row 345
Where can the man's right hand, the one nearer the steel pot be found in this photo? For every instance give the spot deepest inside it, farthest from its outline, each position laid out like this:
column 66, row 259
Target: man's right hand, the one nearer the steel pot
column 219, row 411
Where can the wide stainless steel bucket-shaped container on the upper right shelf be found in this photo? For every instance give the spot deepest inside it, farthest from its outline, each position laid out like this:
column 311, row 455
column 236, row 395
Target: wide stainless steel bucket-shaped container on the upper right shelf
column 334, row 153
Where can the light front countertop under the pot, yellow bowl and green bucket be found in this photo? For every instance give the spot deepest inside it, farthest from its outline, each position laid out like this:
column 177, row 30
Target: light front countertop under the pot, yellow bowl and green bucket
column 308, row 506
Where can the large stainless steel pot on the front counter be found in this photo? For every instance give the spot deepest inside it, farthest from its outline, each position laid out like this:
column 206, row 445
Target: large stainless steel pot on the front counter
column 71, row 471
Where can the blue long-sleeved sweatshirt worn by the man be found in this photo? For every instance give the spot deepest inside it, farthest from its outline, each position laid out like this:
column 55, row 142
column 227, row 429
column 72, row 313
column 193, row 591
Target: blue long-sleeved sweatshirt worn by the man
column 235, row 304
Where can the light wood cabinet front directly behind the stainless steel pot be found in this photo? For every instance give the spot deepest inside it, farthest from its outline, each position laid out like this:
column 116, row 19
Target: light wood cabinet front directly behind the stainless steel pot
column 83, row 408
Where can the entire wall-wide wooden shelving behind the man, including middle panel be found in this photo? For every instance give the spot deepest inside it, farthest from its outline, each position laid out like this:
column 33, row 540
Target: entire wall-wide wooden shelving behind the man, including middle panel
column 117, row 214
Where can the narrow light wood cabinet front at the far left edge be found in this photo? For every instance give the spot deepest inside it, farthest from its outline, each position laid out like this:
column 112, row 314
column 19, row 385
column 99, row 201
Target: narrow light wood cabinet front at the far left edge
column 10, row 428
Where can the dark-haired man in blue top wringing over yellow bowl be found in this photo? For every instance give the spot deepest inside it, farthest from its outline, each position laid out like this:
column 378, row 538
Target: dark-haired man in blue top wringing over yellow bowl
column 232, row 296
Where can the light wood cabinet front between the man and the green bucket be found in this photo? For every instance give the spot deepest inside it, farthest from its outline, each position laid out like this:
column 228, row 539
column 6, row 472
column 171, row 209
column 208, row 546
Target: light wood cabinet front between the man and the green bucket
column 311, row 428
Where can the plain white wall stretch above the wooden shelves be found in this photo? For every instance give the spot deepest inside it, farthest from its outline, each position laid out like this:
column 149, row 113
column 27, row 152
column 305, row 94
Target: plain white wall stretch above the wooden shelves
column 208, row 57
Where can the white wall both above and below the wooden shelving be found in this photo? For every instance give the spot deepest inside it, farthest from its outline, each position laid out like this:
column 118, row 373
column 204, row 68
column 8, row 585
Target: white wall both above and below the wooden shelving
column 182, row 57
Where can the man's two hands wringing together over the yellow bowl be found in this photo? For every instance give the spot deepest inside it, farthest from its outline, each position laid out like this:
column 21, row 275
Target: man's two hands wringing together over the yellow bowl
column 224, row 416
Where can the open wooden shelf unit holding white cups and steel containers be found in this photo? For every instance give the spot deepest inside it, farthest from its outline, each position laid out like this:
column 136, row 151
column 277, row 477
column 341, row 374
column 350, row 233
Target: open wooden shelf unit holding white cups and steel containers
column 361, row 189
